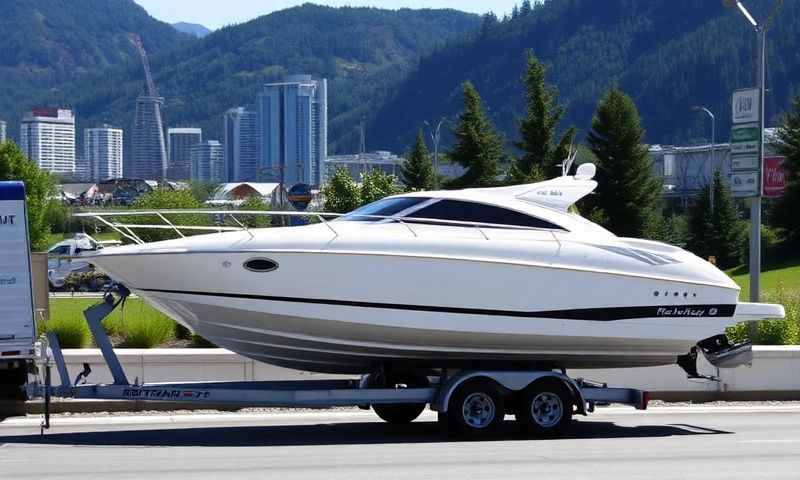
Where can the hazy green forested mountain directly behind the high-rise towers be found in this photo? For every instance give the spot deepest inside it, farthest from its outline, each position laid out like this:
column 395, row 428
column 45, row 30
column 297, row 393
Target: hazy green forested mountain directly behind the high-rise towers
column 364, row 52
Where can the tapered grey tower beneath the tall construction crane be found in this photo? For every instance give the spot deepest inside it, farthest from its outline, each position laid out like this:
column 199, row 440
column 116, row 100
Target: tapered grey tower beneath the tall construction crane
column 148, row 151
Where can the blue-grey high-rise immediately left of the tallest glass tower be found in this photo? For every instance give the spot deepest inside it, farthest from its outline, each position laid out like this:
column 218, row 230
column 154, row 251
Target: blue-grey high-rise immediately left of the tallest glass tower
column 240, row 127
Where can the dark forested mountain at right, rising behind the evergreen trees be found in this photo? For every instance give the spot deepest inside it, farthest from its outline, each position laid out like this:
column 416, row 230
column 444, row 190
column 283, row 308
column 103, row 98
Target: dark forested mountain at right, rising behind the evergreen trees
column 667, row 54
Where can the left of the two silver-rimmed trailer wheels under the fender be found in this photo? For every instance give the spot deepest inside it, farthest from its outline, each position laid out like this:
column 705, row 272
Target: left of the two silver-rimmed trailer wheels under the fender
column 476, row 409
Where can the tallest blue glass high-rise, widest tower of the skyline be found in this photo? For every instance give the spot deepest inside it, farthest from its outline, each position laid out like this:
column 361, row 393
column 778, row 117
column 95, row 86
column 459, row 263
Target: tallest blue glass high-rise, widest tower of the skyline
column 293, row 118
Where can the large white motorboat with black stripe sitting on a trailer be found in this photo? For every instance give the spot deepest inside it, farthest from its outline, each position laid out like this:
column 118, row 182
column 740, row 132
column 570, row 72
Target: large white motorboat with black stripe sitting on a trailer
column 506, row 277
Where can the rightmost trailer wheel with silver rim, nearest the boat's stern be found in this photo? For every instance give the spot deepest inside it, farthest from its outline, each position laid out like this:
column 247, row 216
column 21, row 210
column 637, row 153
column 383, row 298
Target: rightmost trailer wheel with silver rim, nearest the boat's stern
column 545, row 408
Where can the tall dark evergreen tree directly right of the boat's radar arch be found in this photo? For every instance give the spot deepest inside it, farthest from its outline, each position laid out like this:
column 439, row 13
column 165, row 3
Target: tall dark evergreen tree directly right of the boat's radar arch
column 628, row 193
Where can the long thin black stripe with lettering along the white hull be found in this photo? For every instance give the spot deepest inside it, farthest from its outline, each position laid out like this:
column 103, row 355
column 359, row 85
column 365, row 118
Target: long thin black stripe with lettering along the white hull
column 595, row 314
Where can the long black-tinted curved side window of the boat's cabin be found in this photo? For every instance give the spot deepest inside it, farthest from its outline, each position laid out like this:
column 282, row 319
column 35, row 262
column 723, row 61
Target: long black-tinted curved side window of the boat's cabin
column 461, row 211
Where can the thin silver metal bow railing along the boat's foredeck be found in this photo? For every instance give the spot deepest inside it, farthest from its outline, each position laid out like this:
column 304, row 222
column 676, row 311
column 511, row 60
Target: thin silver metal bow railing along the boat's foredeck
column 127, row 229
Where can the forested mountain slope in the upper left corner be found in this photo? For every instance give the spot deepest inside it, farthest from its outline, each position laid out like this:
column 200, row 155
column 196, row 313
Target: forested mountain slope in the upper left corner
column 48, row 43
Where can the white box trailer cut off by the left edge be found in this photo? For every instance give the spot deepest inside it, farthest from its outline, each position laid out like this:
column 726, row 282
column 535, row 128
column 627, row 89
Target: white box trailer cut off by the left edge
column 17, row 322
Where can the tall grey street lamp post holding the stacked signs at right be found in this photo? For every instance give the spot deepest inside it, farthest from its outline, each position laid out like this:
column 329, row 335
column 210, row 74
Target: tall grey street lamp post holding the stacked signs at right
column 755, row 203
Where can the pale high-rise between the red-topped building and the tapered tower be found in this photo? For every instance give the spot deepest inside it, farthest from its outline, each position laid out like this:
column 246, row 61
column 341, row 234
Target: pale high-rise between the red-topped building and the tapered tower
column 103, row 152
